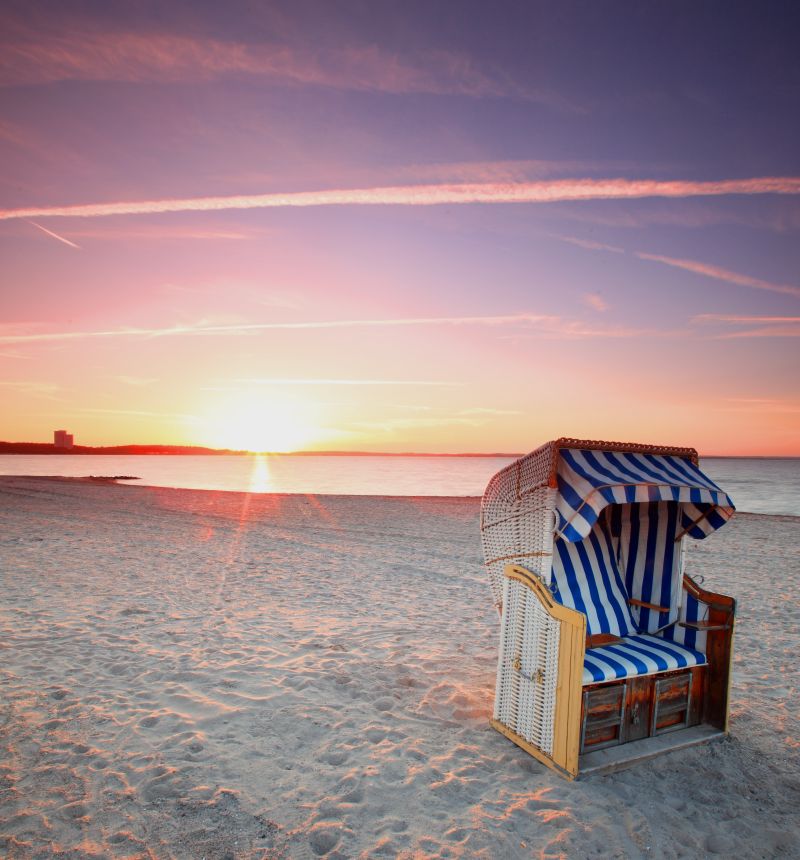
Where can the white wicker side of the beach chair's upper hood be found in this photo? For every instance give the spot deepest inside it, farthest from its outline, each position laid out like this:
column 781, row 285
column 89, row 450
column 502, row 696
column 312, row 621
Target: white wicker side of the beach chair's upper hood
column 518, row 530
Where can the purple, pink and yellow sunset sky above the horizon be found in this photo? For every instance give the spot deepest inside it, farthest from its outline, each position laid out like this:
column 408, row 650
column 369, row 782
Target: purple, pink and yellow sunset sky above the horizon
column 401, row 226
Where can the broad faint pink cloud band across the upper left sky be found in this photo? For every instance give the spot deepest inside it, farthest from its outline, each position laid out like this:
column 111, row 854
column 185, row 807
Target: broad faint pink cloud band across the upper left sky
column 40, row 58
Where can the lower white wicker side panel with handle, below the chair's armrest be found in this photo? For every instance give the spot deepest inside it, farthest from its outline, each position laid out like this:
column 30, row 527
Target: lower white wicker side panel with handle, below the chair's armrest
column 527, row 669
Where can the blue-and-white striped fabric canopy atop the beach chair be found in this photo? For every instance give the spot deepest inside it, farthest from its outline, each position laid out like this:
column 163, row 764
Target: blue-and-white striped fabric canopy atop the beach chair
column 588, row 481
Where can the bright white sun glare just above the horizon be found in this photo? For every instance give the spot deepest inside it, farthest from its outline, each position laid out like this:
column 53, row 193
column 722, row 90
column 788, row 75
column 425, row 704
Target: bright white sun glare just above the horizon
column 260, row 423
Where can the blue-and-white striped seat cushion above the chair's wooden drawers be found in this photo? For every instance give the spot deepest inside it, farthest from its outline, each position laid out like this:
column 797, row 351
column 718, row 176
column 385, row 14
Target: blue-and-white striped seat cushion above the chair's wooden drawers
column 637, row 655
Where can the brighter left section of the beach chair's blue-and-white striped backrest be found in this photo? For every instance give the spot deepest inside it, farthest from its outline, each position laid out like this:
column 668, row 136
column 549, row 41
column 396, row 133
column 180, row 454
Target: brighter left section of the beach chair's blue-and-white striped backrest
column 586, row 577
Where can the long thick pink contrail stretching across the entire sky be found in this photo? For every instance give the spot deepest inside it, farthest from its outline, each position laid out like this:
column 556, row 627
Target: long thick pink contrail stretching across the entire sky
column 548, row 191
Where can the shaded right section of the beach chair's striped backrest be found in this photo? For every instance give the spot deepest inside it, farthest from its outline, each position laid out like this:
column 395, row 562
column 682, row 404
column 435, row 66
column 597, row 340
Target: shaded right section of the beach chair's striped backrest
column 649, row 558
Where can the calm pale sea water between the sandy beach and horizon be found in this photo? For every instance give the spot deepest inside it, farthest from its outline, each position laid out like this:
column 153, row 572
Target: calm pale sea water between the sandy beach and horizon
column 760, row 486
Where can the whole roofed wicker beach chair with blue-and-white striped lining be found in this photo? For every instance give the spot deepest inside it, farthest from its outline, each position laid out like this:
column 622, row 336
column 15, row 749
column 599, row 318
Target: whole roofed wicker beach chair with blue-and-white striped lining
column 609, row 652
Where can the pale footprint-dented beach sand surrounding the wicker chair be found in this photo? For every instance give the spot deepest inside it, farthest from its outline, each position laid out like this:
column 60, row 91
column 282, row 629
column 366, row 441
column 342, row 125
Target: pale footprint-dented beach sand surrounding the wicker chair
column 191, row 674
